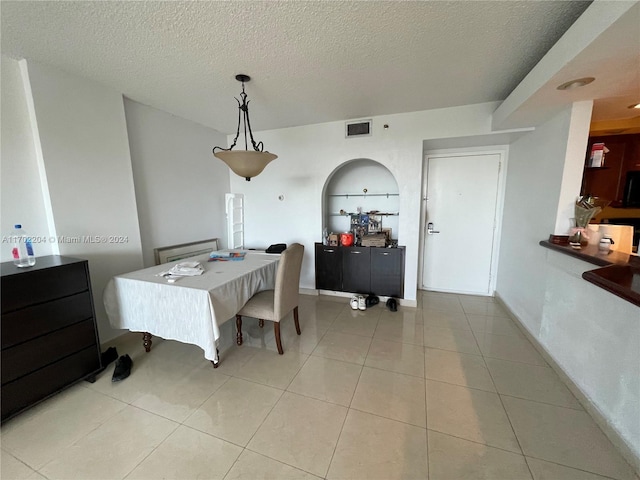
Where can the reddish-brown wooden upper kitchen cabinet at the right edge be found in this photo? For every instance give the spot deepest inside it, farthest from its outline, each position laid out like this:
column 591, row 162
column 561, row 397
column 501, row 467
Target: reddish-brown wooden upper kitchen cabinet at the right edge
column 608, row 182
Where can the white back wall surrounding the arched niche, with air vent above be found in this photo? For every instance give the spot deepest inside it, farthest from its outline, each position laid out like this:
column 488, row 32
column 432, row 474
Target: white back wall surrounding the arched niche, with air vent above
column 308, row 155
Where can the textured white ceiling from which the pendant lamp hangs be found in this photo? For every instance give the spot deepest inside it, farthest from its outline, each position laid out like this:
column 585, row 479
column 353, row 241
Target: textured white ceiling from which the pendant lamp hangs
column 310, row 62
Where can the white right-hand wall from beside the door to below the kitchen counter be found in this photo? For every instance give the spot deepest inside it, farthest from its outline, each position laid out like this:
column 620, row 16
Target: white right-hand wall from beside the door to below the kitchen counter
column 590, row 333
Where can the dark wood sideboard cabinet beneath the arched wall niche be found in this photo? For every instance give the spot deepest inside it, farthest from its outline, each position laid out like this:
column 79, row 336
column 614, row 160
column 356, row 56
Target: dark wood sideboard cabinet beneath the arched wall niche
column 365, row 270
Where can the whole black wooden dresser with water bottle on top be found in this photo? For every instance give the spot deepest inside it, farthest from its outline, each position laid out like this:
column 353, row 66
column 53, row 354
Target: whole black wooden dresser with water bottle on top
column 49, row 333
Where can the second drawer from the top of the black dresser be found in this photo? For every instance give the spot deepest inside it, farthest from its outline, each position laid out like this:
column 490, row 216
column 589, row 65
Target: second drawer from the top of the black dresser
column 31, row 322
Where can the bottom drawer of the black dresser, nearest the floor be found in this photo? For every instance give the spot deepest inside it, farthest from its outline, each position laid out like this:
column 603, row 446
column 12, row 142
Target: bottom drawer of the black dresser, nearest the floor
column 28, row 390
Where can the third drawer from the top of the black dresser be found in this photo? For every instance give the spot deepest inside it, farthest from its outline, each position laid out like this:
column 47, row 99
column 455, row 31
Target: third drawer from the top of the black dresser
column 27, row 357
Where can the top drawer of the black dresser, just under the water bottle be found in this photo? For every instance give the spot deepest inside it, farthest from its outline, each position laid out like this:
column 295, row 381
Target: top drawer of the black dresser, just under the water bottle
column 38, row 286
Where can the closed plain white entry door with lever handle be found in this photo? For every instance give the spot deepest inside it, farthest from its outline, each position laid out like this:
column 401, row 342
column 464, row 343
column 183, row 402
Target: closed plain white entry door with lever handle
column 461, row 205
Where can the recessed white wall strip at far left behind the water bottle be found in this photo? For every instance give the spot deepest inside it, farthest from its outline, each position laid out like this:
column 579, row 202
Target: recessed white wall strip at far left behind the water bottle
column 21, row 197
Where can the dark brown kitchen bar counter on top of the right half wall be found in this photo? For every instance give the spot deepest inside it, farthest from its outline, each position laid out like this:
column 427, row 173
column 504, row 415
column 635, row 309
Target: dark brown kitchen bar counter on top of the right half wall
column 620, row 272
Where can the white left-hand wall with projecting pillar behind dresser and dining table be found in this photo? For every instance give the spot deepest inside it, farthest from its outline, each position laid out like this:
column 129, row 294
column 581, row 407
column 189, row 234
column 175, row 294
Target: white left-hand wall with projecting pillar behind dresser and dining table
column 69, row 146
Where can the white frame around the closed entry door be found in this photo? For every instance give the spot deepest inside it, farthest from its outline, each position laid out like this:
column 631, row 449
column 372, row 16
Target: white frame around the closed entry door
column 503, row 152
